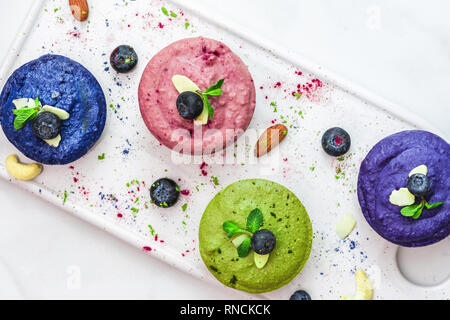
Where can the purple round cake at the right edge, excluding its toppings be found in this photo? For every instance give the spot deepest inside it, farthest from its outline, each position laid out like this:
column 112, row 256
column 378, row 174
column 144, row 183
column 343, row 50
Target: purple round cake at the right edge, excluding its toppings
column 386, row 168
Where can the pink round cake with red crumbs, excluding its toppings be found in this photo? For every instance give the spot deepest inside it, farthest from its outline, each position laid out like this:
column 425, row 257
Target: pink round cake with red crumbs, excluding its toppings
column 204, row 61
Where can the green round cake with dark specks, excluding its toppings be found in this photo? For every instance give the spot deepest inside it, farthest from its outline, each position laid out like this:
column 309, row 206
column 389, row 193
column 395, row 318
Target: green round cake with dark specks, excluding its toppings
column 283, row 214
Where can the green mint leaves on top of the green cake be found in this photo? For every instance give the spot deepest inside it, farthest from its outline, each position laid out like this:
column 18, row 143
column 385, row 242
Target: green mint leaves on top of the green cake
column 255, row 221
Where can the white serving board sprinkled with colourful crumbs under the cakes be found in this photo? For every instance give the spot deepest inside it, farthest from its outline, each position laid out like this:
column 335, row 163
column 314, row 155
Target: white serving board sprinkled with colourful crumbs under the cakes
column 98, row 190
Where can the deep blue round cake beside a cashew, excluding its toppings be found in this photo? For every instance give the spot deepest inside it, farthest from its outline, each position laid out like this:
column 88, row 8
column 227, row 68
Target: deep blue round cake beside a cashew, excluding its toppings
column 62, row 83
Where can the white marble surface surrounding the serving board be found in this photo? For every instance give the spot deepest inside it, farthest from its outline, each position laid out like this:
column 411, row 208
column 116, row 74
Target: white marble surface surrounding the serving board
column 399, row 50
